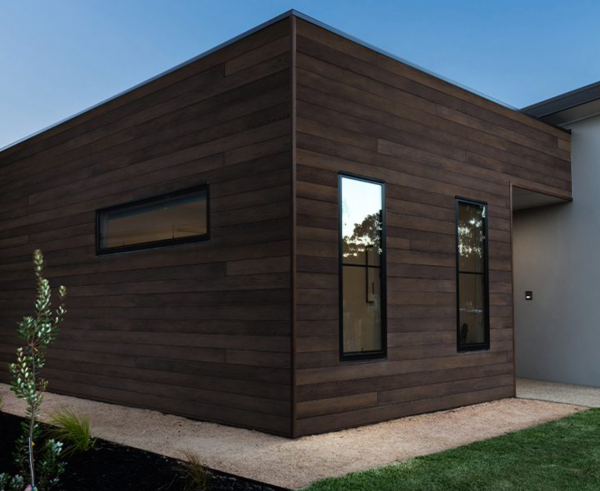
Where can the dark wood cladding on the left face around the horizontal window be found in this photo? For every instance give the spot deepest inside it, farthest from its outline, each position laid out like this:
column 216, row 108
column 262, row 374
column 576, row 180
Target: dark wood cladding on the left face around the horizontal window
column 202, row 330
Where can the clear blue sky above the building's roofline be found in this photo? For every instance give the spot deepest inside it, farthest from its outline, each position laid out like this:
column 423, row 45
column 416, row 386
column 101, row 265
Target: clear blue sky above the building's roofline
column 59, row 57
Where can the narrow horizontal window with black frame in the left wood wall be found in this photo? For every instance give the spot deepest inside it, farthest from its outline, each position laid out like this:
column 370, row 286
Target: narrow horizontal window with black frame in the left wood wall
column 173, row 218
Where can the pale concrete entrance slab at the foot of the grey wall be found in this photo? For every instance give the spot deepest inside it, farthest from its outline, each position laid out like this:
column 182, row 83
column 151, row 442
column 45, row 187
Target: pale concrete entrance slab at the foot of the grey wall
column 563, row 393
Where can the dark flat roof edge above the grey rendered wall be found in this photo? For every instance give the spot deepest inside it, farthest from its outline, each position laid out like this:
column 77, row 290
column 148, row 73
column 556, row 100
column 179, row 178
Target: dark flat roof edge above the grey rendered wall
column 568, row 107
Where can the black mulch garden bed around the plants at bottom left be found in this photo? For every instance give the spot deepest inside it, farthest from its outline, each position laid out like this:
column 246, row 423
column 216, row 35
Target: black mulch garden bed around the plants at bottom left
column 112, row 467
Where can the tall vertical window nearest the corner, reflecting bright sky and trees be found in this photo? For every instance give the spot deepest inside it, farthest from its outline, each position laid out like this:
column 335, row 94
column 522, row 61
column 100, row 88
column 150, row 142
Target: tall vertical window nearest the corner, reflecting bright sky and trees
column 362, row 268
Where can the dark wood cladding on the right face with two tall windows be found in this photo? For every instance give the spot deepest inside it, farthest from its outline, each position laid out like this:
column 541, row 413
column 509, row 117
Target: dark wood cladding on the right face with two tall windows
column 361, row 112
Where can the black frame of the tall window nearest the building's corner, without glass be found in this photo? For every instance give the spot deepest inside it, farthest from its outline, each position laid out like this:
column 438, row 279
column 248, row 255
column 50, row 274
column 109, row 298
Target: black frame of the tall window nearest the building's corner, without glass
column 371, row 355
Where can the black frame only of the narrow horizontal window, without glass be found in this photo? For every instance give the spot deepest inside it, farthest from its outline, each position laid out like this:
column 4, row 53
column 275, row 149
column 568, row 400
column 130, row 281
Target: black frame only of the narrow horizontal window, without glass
column 100, row 251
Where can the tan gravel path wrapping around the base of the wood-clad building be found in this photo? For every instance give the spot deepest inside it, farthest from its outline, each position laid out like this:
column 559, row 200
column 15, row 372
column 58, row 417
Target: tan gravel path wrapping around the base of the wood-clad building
column 297, row 463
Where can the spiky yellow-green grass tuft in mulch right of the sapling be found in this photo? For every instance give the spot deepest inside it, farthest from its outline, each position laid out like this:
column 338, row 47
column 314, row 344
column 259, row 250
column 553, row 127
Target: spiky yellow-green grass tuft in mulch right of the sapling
column 73, row 430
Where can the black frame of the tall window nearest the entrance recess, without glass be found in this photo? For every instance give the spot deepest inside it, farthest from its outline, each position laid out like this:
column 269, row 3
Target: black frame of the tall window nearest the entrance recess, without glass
column 485, row 346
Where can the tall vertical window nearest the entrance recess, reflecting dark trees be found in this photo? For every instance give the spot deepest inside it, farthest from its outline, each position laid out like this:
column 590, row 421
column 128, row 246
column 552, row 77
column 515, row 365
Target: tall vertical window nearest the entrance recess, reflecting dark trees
column 472, row 276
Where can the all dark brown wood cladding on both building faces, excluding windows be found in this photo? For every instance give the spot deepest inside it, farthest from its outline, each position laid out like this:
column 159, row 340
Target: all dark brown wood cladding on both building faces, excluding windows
column 244, row 329
